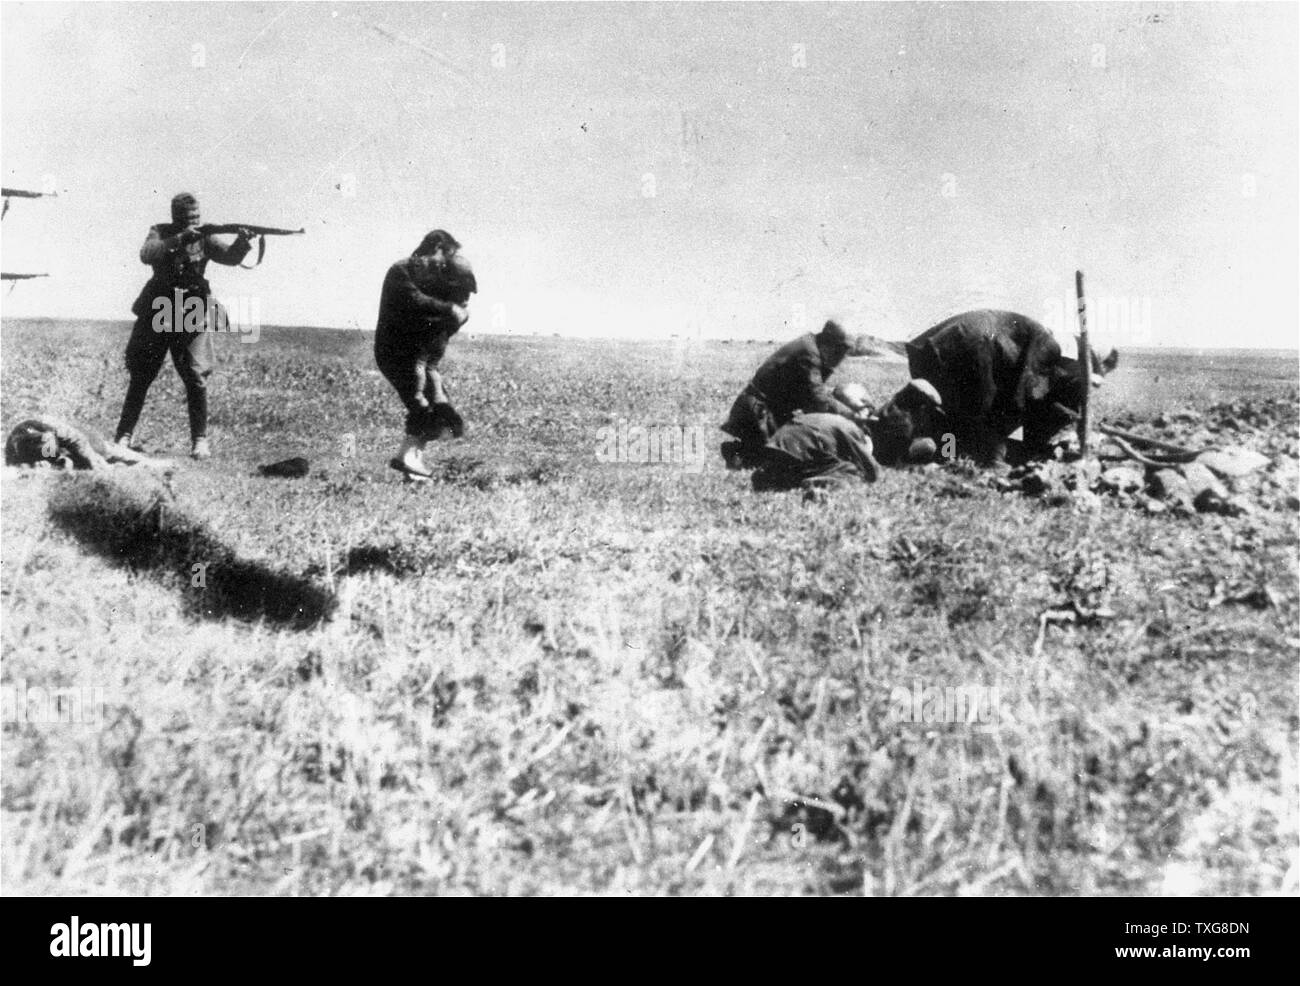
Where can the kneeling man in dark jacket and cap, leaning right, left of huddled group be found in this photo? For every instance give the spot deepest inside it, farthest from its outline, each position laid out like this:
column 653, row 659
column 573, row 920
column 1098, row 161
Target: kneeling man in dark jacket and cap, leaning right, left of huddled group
column 792, row 379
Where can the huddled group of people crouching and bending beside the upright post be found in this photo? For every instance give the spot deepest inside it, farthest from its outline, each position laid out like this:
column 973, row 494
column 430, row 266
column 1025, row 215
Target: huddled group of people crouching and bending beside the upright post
column 978, row 380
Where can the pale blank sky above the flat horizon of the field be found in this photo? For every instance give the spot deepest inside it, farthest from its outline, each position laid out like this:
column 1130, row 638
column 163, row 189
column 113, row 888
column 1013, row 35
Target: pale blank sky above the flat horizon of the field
column 727, row 170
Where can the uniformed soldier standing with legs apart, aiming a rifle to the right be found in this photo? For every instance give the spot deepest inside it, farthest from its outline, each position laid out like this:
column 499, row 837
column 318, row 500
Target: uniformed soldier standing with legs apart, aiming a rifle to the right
column 164, row 323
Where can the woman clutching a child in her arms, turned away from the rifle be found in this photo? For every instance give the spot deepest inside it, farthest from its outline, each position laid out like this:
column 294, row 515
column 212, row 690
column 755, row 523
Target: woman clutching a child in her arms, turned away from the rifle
column 422, row 306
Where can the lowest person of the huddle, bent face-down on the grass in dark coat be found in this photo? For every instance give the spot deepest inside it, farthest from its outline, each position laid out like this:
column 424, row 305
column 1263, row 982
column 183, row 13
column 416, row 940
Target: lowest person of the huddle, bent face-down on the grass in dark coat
column 816, row 449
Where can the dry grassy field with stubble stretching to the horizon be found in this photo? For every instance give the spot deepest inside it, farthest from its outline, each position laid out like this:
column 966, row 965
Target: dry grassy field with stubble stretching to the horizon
column 548, row 673
